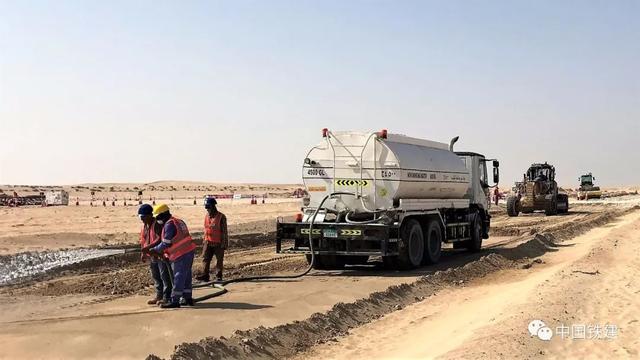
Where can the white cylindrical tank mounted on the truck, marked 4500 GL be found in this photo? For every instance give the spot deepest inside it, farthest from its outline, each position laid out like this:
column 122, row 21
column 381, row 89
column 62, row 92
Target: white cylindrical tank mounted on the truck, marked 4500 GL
column 383, row 169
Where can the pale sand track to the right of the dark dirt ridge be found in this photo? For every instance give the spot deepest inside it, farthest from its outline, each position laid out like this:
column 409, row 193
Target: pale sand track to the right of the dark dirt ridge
column 592, row 283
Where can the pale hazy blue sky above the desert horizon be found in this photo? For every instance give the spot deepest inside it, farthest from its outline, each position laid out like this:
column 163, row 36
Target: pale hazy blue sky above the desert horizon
column 101, row 91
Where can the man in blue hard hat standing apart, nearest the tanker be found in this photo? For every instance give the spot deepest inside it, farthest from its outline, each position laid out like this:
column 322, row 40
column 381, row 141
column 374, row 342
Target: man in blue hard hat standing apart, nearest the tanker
column 216, row 240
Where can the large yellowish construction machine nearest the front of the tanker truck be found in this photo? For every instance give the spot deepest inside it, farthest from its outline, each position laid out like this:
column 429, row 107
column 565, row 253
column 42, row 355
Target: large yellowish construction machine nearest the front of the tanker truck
column 538, row 191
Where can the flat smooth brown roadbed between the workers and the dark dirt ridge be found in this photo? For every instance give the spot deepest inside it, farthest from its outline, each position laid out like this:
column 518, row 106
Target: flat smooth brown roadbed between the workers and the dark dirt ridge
column 62, row 324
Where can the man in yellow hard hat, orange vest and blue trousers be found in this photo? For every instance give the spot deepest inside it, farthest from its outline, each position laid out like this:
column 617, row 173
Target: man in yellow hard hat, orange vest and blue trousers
column 179, row 248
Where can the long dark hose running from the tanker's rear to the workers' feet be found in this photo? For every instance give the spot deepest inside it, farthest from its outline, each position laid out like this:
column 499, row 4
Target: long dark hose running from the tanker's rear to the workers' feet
column 220, row 285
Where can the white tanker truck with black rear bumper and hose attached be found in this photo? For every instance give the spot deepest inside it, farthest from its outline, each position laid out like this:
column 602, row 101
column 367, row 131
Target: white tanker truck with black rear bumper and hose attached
column 387, row 195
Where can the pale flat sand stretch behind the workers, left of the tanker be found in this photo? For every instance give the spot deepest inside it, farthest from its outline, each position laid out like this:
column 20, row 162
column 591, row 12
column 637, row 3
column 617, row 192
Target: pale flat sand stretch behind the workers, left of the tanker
column 47, row 228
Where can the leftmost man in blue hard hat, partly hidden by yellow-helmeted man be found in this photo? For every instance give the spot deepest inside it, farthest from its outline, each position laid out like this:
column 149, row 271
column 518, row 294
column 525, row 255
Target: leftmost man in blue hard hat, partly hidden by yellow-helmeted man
column 160, row 269
